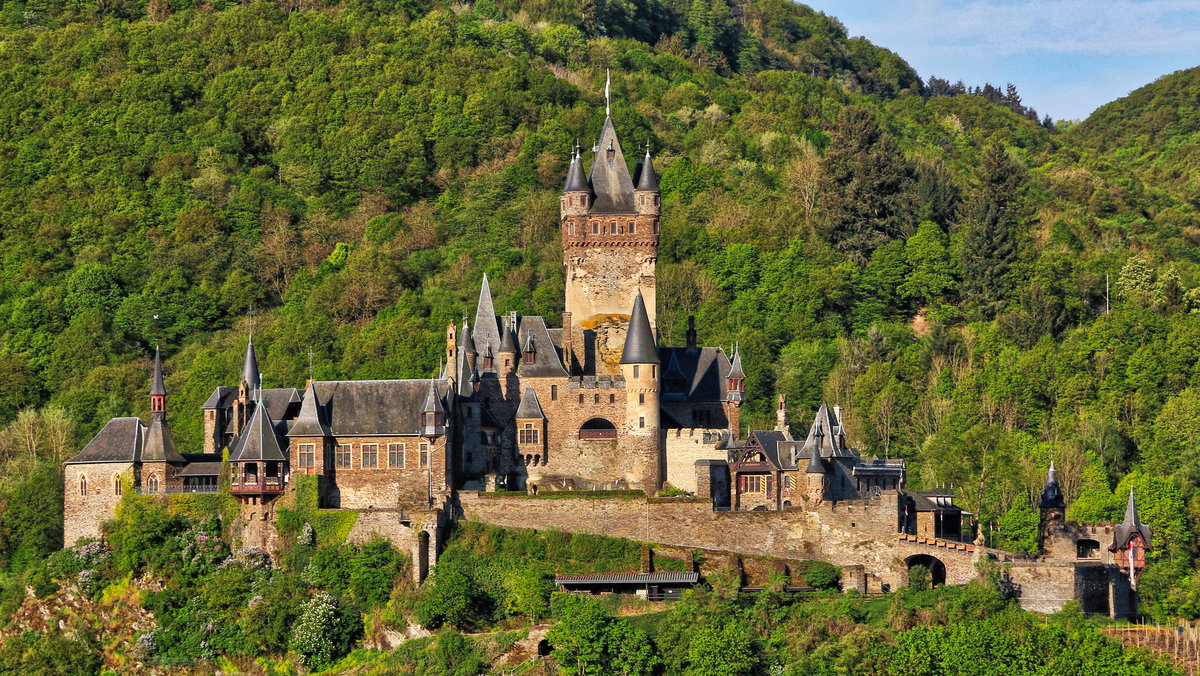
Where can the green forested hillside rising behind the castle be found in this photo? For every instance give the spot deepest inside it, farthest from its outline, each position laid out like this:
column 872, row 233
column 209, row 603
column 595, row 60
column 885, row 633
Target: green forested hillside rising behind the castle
column 934, row 262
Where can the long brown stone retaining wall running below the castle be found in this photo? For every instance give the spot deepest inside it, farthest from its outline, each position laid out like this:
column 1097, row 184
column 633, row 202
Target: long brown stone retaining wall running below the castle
column 847, row 535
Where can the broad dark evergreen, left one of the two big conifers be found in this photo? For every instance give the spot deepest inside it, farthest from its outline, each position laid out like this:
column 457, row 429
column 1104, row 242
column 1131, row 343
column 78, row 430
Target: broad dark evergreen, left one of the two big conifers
column 869, row 196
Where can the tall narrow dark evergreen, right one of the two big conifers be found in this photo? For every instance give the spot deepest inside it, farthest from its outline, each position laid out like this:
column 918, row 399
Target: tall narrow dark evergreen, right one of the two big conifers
column 989, row 248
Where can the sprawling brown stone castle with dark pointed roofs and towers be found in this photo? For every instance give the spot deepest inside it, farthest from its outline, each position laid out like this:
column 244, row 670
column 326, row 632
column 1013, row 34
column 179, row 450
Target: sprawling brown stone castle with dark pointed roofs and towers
column 597, row 404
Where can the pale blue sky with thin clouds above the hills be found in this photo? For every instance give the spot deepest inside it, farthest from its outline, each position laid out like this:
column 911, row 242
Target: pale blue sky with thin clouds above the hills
column 1066, row 57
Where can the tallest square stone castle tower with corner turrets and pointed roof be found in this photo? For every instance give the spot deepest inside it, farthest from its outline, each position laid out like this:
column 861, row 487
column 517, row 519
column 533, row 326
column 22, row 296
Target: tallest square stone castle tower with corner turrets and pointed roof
column 610, row 225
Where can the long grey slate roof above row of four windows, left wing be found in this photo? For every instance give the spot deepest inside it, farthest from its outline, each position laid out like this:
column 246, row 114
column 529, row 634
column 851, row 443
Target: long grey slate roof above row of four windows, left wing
column 375, row 408
